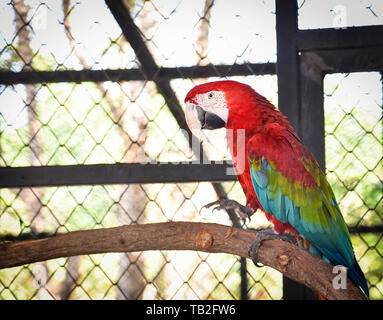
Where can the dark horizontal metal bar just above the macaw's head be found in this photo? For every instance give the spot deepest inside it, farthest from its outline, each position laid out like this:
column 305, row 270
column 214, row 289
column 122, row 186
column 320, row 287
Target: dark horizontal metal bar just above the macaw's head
column 33, row 77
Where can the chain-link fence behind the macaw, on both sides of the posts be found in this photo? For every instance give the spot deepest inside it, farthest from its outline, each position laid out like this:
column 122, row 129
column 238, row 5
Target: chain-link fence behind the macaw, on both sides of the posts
column 108, row 121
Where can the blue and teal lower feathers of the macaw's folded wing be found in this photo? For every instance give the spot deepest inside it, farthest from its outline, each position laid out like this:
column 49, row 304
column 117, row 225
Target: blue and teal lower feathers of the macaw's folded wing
column 330, row 243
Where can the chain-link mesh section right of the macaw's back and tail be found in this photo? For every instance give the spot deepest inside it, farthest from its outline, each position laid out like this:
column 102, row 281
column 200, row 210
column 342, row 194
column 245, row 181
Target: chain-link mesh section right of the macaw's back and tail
column 354, row 163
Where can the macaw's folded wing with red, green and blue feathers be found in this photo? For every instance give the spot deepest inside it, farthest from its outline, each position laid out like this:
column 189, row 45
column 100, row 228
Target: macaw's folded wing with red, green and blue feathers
column 280, row 183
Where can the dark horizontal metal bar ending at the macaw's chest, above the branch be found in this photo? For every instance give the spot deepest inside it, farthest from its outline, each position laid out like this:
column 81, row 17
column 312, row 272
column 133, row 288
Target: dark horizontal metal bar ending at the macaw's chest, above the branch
column 122, row 173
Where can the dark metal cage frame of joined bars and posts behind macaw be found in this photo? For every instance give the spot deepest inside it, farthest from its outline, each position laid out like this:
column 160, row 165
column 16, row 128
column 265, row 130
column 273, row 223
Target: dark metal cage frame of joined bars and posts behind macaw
column 304, row 57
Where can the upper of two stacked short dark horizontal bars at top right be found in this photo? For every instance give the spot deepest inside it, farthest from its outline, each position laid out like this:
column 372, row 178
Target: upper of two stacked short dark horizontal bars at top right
column 353, row 37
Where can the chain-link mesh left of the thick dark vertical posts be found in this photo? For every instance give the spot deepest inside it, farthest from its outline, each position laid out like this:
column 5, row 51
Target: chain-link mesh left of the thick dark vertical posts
column 113, row 122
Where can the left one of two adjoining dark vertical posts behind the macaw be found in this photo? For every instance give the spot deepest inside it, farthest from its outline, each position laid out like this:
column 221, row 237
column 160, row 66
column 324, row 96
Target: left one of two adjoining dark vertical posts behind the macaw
column 289, row 101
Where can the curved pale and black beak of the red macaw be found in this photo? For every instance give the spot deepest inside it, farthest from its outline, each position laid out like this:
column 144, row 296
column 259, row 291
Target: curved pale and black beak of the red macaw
column 197, row 118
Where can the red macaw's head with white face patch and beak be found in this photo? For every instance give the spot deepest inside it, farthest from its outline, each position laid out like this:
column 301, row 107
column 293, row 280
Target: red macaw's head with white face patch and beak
column 220, row 104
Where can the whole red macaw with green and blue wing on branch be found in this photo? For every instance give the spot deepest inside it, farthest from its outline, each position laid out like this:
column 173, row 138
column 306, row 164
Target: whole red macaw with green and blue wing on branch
column 280, row 176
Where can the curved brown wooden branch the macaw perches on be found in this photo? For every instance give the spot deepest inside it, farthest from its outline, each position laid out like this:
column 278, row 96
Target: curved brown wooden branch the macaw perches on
column 294, row 262
